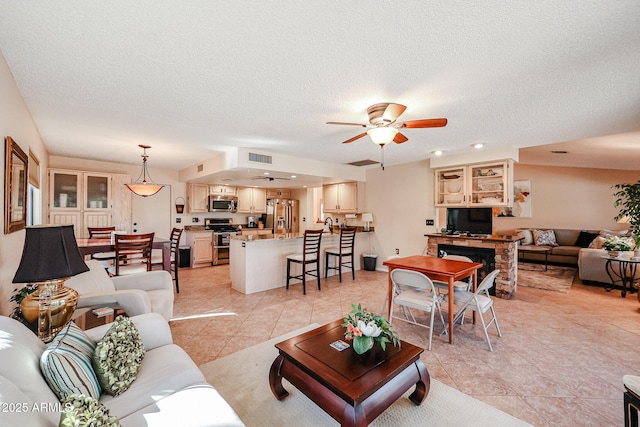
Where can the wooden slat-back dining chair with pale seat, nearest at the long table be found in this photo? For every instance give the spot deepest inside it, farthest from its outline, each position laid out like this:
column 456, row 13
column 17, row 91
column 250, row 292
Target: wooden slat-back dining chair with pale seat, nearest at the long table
column 133, row 254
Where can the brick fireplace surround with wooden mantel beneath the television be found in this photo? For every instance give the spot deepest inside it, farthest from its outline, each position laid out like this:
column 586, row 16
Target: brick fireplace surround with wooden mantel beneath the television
column 505, row 256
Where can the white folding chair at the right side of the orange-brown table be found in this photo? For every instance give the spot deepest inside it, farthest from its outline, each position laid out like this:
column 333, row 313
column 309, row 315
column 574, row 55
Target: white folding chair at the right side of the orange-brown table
column 480, row 302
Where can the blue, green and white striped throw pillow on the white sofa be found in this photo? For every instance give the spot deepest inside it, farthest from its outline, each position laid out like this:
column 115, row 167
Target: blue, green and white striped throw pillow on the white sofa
column 66, row 364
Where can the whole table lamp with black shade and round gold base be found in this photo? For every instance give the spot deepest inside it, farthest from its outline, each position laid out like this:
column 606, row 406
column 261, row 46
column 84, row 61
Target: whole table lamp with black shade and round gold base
column 50, row 256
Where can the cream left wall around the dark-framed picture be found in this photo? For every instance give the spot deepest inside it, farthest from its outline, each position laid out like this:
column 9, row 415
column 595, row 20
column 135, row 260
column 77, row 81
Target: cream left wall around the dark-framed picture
column 15, row 121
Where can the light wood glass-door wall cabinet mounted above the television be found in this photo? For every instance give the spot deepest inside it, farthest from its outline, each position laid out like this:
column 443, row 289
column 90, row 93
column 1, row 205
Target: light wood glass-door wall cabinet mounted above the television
column 487, row 184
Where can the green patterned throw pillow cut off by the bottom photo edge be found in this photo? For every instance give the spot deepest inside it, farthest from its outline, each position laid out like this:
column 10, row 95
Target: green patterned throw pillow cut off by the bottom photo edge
column 85, row 411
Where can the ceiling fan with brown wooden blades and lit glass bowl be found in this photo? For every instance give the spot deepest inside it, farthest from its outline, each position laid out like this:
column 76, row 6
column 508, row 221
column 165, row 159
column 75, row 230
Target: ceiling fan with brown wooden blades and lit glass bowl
column 384, row 128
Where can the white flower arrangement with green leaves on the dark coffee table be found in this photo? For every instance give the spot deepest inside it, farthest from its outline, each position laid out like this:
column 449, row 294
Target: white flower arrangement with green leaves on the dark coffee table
column 364, row 328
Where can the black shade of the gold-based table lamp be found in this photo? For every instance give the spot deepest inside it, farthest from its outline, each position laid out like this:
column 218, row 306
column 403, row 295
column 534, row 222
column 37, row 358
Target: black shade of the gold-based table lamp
column 50, row 252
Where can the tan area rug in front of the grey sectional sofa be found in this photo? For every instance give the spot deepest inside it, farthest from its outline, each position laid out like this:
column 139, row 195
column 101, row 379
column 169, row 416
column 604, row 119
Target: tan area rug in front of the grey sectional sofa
column 556, row 278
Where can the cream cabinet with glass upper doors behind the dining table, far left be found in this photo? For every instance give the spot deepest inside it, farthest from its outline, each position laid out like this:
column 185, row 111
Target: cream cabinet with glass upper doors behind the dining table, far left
column 84, row 199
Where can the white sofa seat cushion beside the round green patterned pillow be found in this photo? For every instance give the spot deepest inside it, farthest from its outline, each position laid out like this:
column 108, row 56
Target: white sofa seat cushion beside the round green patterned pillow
column 165, row 370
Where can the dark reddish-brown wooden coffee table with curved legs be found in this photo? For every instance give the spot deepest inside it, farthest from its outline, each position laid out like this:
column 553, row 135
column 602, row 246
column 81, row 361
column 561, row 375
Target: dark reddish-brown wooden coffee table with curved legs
column 352, row 389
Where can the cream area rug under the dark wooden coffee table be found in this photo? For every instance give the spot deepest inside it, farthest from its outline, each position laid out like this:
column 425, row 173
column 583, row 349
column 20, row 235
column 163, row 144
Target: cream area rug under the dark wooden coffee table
column 242, row 378
